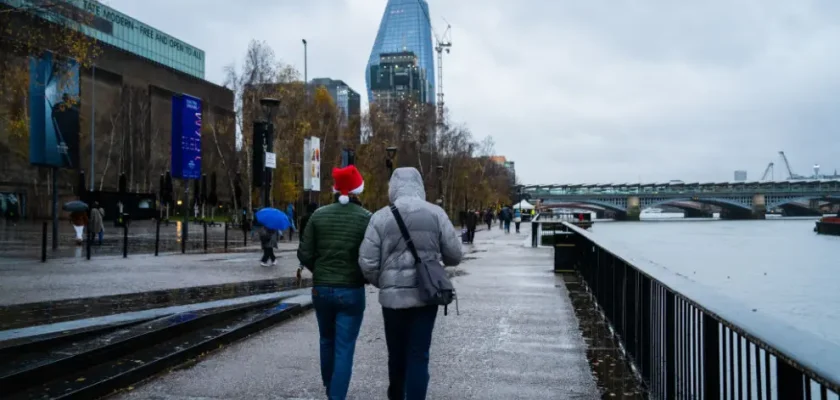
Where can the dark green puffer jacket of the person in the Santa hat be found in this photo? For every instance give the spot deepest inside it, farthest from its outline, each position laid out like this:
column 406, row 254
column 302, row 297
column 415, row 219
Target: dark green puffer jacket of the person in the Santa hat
column 330, row 245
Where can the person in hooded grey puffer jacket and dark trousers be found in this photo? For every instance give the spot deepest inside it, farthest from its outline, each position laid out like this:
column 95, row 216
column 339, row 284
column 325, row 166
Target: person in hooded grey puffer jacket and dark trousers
column 387, row 264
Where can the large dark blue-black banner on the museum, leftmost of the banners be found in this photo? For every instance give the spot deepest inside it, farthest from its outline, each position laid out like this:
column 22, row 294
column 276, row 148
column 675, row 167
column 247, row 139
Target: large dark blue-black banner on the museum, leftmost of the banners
column 53, row 112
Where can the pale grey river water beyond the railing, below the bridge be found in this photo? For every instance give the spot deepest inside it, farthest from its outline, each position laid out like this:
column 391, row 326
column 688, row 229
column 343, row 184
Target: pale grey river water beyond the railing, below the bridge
column 778, row 267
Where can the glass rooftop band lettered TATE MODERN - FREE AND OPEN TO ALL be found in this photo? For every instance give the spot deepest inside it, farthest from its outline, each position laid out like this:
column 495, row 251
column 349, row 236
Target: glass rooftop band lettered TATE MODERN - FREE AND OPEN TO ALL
column 119, row 30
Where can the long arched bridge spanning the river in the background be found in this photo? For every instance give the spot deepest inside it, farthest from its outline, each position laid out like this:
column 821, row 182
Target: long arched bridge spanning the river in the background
column 737, row 200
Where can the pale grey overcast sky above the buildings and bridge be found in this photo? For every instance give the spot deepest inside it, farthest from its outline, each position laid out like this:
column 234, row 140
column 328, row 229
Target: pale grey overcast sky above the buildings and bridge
column 582, row 91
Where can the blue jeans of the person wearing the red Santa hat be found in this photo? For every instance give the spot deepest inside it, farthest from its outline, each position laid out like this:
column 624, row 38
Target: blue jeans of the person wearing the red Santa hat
column 339, row 312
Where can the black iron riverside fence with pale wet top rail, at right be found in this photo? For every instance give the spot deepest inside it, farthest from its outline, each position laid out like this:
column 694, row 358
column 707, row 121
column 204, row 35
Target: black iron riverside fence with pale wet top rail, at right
column 685, row 341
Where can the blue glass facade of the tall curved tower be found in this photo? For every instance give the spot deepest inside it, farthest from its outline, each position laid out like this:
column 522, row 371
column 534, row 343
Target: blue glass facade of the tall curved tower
column 406, row 27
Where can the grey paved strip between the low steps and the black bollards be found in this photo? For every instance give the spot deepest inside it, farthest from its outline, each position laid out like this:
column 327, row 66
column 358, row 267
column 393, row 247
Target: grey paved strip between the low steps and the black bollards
column 58, row 279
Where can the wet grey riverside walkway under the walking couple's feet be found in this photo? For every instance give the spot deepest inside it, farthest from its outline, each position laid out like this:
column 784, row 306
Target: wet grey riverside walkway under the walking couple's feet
column 516, row 338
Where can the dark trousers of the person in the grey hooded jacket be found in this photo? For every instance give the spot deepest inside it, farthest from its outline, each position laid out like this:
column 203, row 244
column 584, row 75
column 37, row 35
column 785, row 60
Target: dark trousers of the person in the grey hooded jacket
column 408, row 334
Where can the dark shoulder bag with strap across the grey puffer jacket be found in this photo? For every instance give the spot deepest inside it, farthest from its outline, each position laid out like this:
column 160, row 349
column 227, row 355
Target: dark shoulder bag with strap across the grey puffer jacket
column 432, row 282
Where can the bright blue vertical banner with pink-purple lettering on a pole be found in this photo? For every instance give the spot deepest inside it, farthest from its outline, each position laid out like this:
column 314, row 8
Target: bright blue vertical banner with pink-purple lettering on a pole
column 186, row 137
